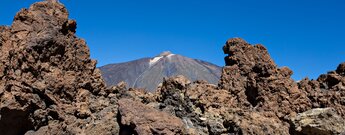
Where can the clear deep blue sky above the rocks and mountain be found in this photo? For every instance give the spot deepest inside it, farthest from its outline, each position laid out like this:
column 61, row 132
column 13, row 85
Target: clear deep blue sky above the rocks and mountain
column 306, row 35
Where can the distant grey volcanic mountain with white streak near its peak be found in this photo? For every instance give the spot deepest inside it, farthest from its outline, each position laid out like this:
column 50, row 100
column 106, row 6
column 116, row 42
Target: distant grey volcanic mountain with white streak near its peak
column 148, row 73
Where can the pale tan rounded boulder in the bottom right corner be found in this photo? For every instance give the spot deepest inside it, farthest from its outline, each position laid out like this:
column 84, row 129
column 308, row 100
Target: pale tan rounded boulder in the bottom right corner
column 319, row 121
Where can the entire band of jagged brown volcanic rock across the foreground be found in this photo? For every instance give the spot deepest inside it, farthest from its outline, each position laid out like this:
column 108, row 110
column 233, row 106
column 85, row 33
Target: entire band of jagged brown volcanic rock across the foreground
column 49, row 85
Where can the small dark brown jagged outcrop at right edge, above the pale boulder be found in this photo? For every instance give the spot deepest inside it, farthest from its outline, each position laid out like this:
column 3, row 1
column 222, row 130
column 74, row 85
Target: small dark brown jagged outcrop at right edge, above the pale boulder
column 327, row 91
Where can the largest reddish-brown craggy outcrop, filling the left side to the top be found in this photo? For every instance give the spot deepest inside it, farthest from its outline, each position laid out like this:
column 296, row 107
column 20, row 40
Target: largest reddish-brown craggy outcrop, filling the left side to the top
column 48, row 82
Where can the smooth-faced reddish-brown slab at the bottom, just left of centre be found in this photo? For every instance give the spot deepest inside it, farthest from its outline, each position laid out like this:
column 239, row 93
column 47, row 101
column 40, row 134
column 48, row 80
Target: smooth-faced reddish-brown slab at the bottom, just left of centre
column 144, row 120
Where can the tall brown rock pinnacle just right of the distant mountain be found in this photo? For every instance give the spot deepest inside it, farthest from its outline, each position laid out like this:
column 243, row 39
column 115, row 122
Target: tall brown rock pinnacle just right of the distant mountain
column 256, row 82
